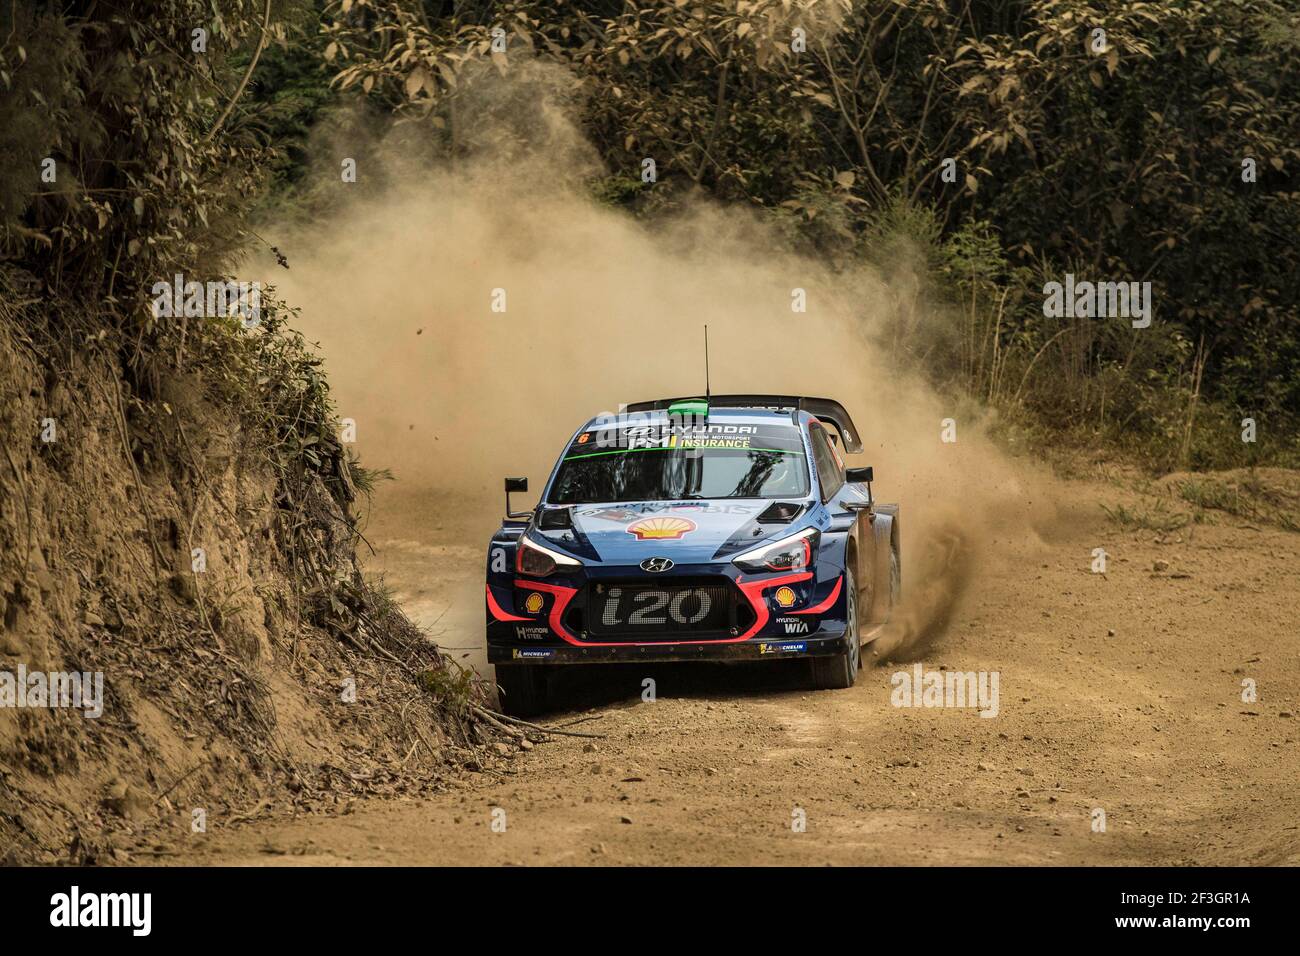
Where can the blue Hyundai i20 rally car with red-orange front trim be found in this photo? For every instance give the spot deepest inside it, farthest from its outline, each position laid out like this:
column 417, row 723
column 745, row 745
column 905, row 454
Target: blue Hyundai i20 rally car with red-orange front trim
column 720, row 529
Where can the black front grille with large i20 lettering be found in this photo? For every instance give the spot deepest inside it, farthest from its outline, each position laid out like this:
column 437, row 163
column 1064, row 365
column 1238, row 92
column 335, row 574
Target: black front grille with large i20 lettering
column 677, row 609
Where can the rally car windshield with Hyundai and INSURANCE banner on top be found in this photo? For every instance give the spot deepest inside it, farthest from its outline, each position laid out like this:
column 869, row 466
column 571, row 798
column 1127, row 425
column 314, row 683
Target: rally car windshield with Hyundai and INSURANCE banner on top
column 673, row 462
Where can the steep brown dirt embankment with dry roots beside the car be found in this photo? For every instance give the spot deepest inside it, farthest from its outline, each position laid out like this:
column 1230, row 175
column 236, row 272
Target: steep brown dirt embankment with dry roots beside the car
column 220, row 672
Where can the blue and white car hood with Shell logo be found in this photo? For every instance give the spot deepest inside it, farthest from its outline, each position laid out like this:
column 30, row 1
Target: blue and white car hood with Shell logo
column 688, row 533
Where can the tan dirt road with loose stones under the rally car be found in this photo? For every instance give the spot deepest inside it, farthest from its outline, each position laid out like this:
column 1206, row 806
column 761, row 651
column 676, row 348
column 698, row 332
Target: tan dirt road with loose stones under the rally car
column 1120, row 694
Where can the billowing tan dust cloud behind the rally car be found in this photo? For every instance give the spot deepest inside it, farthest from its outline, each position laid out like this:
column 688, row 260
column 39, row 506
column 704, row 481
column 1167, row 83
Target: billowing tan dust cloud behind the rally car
column 397, row 285
